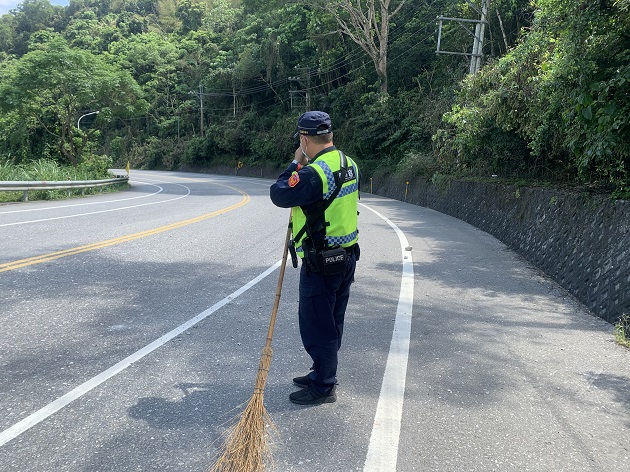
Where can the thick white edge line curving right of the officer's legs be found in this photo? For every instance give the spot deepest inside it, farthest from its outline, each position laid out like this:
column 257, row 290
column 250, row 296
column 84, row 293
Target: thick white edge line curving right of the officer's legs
column 382, row 452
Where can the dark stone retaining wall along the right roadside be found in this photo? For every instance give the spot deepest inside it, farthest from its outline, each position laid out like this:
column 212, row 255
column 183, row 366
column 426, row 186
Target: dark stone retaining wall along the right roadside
column 581, row 241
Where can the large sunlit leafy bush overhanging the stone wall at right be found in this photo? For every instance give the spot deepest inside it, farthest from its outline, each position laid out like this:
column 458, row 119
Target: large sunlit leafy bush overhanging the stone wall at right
column 555, row 107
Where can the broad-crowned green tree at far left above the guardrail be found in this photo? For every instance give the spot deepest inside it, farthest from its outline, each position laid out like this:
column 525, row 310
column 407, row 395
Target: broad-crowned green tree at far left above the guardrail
column 47, row 89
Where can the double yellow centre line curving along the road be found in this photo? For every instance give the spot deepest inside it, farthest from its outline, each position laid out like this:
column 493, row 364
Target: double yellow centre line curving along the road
column 122, row 239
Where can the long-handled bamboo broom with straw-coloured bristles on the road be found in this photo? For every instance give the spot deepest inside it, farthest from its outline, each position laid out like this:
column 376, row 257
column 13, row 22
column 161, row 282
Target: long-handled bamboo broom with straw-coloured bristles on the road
column 246, row 447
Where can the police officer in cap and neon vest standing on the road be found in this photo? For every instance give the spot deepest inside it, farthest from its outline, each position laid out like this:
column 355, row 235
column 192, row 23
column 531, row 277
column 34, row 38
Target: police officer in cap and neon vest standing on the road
column 321, row 187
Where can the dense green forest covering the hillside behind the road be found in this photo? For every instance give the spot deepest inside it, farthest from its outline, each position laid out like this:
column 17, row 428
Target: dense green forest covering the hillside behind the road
column 191, row 84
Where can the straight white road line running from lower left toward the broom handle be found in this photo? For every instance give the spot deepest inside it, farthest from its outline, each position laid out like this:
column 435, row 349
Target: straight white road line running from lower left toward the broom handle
column 61, row 402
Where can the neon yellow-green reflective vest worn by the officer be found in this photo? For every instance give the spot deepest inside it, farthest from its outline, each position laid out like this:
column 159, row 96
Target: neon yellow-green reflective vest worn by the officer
column 341, row 215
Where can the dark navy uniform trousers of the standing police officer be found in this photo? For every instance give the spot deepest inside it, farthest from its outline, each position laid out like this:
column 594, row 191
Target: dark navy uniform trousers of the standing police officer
column 322, row 308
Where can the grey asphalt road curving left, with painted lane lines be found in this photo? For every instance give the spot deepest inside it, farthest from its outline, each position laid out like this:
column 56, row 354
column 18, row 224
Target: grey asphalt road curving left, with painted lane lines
column 132, row 325
